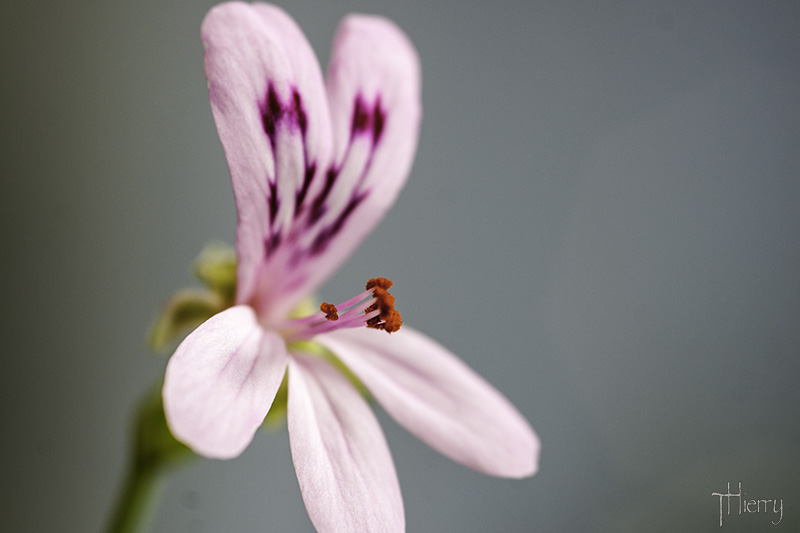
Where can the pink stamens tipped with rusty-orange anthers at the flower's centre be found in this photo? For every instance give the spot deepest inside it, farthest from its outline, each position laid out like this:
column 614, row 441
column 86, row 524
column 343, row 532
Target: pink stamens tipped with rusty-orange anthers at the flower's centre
column 373, row 308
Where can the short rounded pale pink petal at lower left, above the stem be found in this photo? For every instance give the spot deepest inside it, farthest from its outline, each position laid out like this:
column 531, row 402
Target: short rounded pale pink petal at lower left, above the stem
column 221, row 381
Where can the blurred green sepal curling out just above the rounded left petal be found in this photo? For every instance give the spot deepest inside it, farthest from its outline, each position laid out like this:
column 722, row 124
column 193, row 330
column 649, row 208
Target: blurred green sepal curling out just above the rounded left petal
column 187, row 309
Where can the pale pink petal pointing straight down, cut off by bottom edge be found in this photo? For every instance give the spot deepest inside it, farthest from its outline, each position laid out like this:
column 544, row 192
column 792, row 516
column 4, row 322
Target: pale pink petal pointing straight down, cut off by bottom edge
column 343, row 464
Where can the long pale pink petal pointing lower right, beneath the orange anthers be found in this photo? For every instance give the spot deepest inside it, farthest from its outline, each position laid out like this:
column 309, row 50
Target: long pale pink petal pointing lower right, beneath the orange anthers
column 438, row 398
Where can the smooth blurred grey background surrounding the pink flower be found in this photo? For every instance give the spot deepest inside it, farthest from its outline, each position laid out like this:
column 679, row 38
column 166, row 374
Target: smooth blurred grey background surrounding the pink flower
column 602, row 220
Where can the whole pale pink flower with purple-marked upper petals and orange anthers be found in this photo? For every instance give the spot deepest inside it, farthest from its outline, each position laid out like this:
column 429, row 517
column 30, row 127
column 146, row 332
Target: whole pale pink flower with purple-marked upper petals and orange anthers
column 314, row 165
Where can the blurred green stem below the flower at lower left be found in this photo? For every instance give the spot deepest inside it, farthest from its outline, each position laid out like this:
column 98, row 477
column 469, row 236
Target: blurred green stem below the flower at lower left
column 154, row 449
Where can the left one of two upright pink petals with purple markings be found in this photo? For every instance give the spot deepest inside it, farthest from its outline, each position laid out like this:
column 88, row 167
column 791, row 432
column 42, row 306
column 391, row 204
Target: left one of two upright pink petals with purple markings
column 270, row 107
